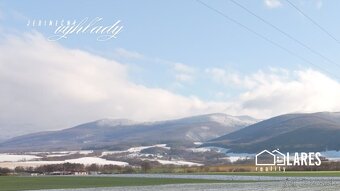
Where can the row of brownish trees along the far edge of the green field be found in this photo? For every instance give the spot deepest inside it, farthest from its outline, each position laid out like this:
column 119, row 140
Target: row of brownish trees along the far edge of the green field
column 148, row 167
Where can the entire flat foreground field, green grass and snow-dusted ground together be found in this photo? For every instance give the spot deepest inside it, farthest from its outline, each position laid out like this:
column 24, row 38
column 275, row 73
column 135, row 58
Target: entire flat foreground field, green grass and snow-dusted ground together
column 170, row 182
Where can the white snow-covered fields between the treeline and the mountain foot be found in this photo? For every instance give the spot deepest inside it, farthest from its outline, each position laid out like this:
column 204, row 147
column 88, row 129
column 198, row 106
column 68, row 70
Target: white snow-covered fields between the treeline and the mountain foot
column 34, row 159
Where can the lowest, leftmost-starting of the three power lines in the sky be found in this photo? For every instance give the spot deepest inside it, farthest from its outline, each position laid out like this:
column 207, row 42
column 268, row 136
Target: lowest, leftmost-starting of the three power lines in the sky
column 264, row 38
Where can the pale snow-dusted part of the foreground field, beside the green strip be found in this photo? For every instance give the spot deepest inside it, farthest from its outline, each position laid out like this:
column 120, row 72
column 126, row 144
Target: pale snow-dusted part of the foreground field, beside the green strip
column 269, row 184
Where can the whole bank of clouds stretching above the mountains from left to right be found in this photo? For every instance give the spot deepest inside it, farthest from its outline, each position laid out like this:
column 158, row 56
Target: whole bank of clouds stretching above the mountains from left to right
column 45, row 86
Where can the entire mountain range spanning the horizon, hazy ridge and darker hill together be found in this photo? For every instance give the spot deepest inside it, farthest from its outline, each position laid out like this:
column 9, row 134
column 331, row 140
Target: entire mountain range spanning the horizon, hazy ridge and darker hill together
column 302, row 132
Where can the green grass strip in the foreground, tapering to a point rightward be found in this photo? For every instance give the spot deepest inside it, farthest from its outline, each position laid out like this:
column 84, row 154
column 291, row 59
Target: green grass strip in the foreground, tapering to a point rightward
column 12, row 183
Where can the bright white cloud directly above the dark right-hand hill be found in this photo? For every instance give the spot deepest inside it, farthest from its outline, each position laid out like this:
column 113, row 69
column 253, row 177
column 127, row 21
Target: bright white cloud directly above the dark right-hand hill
column 278, row 91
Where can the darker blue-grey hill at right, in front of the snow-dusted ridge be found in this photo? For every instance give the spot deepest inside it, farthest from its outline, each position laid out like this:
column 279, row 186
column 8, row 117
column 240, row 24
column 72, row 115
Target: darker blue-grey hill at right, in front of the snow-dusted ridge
column 291, row 132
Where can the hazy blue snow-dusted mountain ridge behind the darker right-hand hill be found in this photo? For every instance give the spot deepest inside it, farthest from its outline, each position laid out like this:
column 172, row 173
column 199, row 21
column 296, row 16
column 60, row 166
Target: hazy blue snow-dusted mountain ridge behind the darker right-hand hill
column 123, row 133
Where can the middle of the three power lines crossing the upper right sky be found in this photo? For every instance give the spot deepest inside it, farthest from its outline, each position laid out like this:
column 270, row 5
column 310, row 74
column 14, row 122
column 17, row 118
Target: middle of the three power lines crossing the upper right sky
column 286, row 34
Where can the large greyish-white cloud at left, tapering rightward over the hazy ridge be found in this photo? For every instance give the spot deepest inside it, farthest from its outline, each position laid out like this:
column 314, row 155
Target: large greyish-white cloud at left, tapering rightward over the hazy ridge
column 46, row 86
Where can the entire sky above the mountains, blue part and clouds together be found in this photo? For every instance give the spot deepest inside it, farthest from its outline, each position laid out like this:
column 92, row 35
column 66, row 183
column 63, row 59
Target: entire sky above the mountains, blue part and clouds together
column 171, row 59
